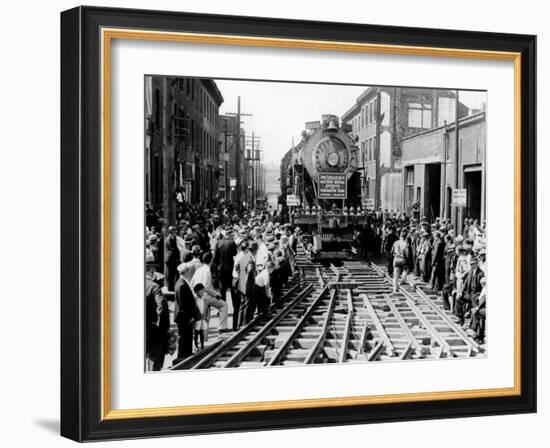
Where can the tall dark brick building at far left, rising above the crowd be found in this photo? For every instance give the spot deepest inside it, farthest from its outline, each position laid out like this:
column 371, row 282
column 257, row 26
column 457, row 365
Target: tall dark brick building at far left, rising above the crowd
column 181, row 144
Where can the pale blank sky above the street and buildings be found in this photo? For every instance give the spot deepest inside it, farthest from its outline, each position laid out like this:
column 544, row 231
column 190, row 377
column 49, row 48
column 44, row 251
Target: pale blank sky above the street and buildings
column 279, row 110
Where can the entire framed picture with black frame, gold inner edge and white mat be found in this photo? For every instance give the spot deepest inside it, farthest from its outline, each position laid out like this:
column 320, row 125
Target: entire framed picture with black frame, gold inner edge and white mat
column 277, row 224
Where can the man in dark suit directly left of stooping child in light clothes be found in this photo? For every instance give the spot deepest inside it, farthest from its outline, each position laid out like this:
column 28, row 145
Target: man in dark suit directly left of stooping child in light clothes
column 185, row 311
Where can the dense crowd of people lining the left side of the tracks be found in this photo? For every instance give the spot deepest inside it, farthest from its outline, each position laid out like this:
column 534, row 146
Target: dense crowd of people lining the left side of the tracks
column 214, row 254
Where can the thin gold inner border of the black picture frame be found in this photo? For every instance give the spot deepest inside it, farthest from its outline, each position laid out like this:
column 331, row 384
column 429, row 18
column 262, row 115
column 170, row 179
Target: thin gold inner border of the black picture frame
column 107, row 34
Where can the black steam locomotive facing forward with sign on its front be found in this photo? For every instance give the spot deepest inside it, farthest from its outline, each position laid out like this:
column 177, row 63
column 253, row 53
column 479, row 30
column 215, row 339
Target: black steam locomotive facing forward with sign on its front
column 321, row 187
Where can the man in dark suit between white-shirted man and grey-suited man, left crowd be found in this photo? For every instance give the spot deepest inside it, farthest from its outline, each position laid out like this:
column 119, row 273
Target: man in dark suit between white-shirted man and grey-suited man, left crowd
column 226, row 249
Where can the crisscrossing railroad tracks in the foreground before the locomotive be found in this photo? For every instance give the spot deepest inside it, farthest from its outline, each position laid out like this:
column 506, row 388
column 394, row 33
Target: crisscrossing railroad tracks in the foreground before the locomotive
column 342, row 314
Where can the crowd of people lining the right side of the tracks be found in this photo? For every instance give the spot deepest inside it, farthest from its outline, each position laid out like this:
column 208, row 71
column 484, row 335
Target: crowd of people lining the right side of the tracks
column 453, row 264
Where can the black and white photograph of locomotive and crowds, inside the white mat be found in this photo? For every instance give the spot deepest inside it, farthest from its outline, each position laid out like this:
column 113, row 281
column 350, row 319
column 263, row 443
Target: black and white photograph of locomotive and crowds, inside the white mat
column 302, row 223
